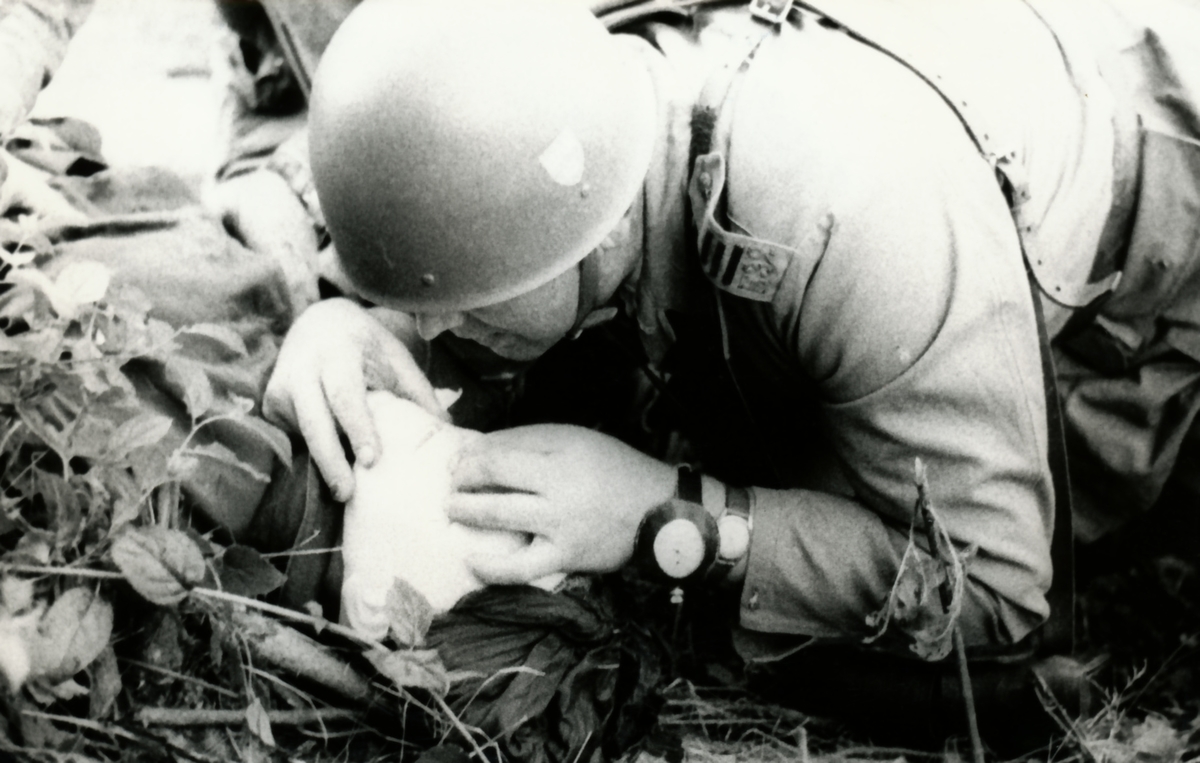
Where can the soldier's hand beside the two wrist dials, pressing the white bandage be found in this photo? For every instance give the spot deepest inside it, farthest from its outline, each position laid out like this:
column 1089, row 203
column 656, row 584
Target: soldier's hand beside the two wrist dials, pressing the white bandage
column 579, row 495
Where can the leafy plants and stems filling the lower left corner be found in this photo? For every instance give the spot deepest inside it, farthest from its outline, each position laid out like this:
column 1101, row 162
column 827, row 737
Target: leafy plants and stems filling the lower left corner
column 101, row 574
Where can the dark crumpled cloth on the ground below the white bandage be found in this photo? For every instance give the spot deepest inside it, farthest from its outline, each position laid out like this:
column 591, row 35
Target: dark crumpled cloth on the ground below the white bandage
column 561, row 676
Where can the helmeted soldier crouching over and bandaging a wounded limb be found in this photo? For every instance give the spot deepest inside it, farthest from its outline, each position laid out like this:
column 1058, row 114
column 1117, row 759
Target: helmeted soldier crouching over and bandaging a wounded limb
column 847, row 235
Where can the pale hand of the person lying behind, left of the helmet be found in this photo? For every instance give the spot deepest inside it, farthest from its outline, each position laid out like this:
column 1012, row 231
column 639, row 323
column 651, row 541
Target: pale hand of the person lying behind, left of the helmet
column 261, row 211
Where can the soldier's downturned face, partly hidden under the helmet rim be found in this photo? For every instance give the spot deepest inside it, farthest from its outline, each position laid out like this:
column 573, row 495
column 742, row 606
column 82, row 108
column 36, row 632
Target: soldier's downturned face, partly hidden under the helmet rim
column 523, row 328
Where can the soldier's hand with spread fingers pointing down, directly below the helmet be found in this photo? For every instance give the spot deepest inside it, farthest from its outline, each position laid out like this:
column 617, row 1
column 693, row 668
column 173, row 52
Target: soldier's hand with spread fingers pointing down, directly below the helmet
column 333, row 355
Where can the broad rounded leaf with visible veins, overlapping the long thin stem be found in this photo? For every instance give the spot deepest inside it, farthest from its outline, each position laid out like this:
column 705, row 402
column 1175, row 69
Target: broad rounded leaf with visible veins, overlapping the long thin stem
column 159, row 563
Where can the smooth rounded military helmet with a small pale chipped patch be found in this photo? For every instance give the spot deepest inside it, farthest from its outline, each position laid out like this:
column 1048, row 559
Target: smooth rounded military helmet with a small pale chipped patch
column 466, row 152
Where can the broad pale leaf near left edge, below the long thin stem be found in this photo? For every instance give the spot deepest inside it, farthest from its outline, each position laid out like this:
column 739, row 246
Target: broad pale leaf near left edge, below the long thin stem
column 71, row 635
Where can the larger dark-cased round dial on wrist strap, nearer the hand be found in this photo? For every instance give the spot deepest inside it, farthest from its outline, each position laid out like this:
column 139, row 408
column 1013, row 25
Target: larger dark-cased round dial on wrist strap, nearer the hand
column 677, row 542
